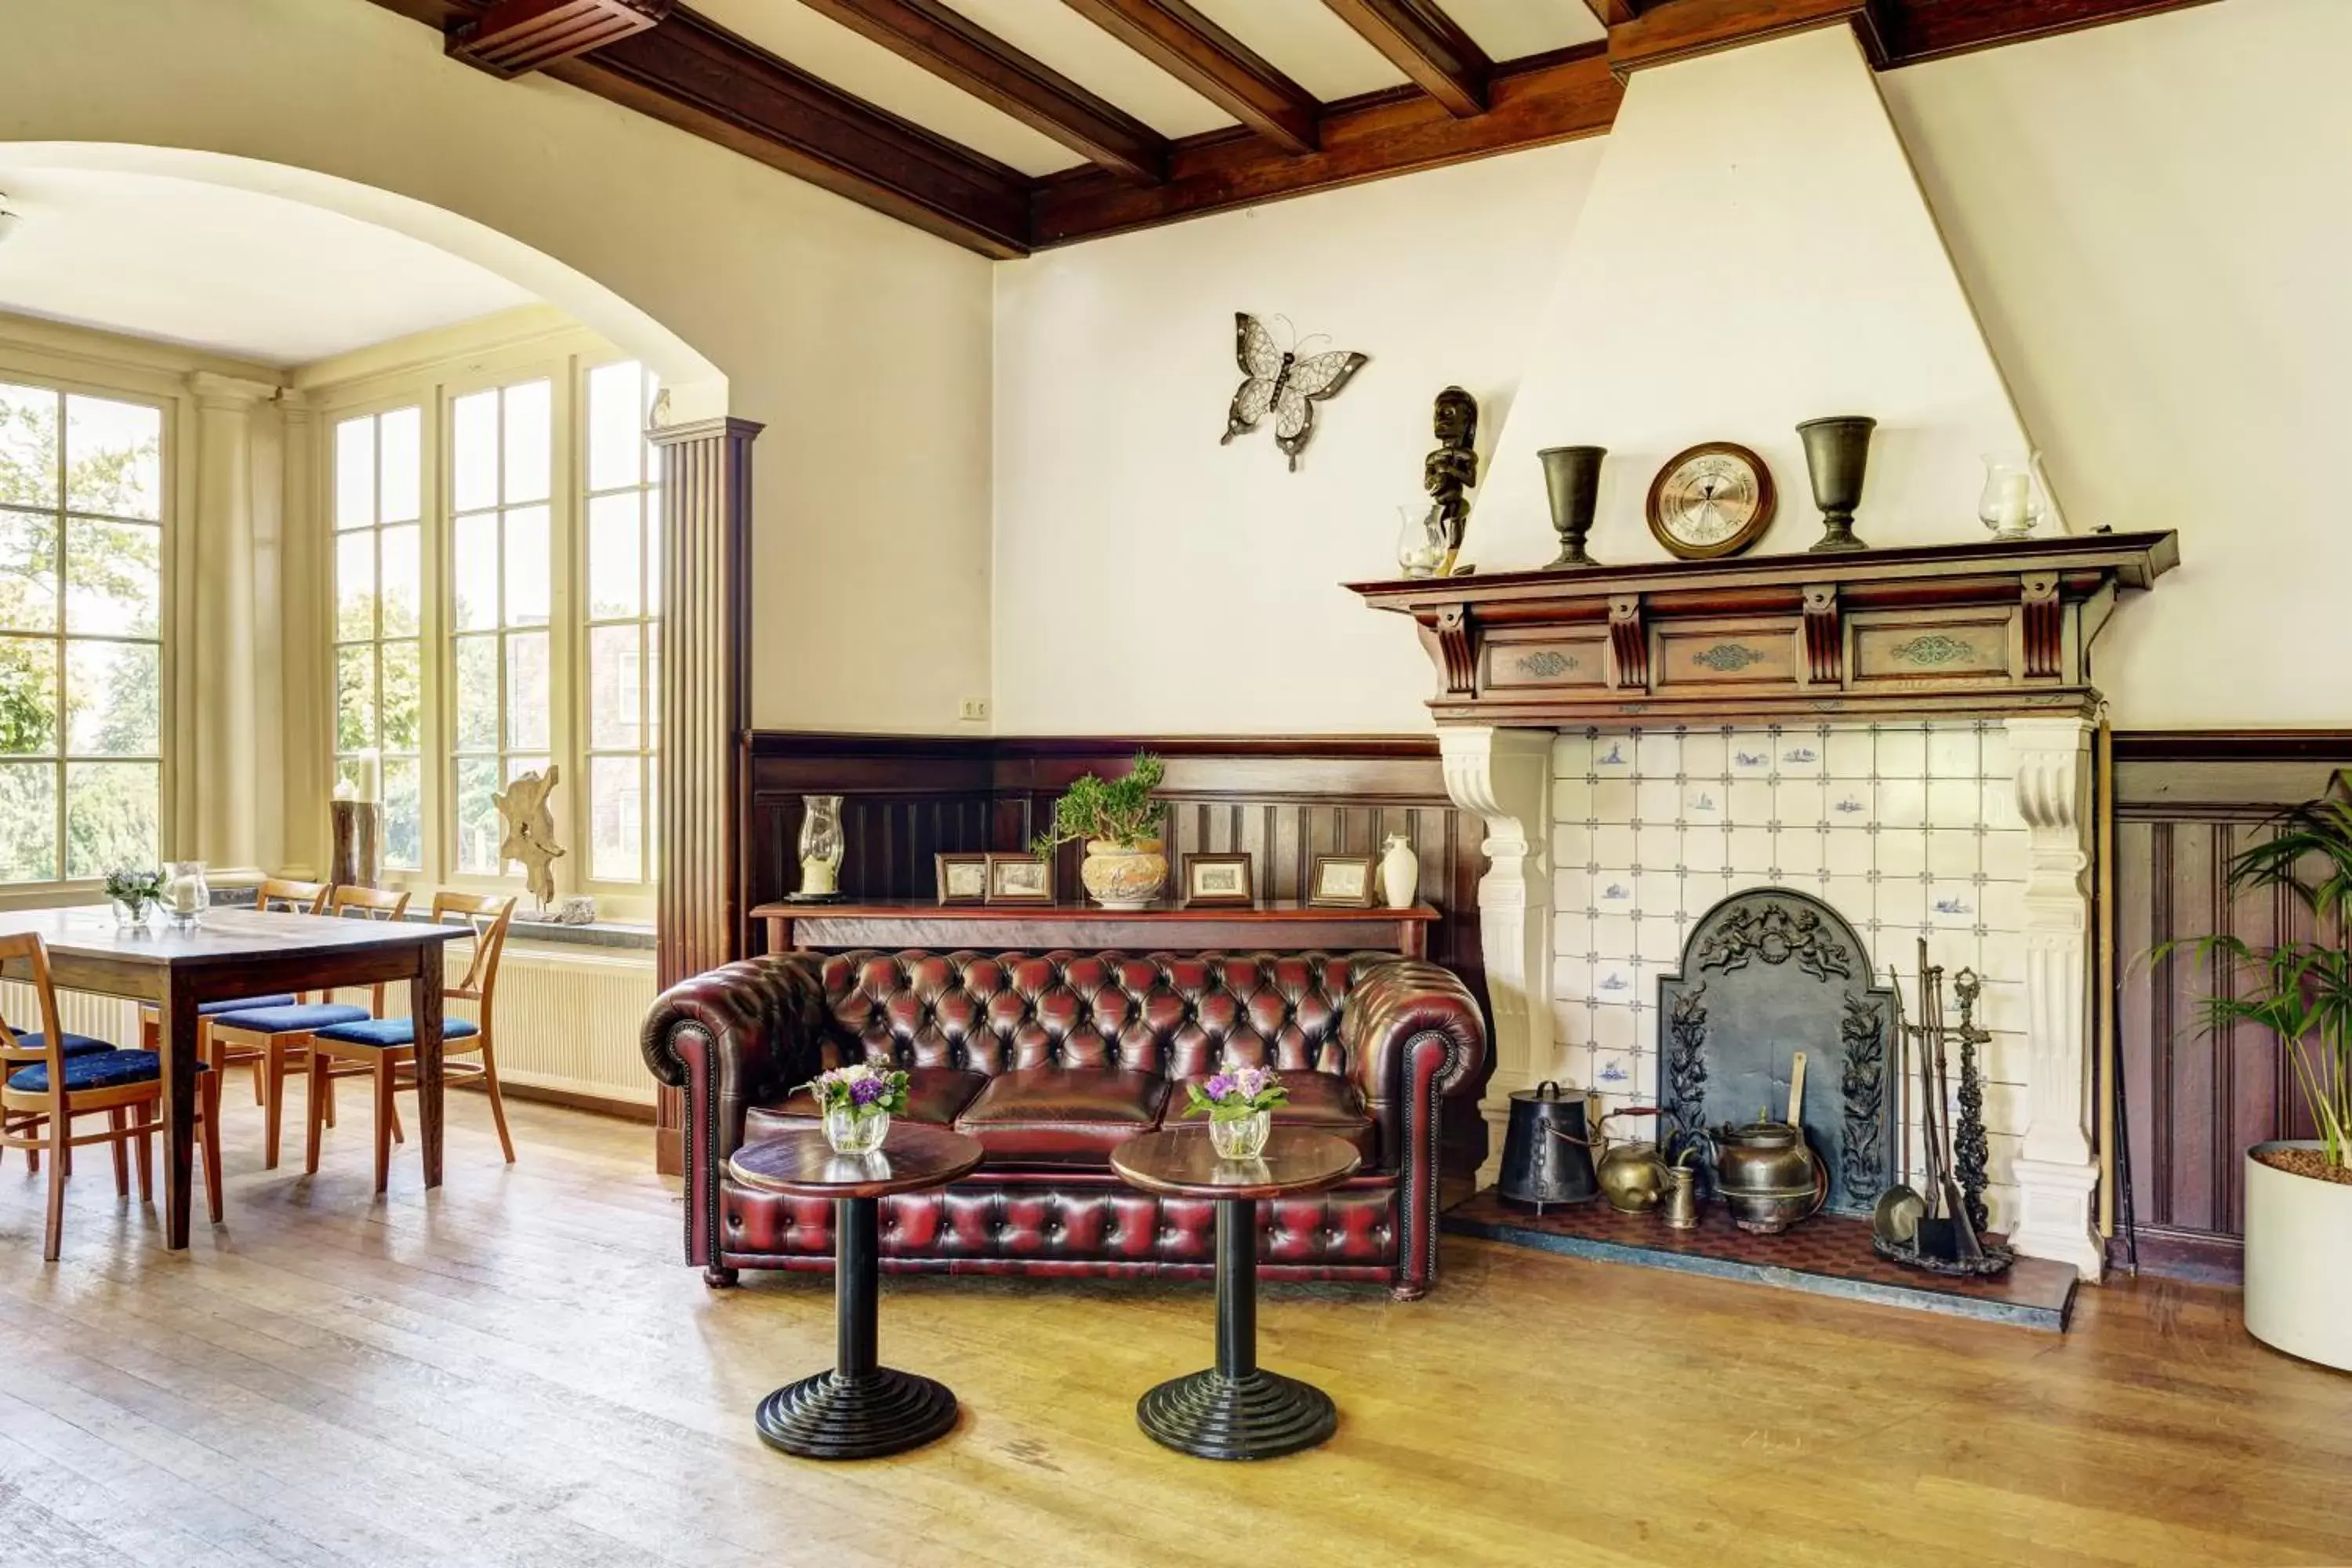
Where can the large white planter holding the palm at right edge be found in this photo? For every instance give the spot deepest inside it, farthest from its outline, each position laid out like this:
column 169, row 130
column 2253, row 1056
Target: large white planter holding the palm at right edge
column 2299, row 1261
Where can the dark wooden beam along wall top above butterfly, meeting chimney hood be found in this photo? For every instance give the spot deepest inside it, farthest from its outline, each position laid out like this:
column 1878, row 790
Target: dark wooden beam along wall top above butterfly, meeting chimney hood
column 1535, row 102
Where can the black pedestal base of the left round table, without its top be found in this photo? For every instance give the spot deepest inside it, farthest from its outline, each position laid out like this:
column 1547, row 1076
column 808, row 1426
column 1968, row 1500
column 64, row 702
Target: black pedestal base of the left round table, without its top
column 860, row 1409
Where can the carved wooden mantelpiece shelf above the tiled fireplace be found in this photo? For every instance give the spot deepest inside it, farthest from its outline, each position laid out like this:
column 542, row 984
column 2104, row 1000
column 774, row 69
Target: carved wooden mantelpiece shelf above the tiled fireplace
column 1953, row 631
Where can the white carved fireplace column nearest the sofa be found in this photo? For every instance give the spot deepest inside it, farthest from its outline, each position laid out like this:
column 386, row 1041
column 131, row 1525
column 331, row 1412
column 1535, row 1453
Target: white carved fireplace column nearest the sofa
column 1506, row 777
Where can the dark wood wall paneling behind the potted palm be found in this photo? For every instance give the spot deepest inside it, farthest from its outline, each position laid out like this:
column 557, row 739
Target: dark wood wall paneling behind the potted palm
column 2196, row 1101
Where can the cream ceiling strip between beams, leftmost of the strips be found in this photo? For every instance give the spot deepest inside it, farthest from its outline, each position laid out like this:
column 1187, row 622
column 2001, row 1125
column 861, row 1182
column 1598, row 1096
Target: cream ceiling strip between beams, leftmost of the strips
column 869, row 72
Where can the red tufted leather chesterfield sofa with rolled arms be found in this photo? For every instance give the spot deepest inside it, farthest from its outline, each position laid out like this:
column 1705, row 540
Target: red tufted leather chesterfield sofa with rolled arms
column 1053, row 1059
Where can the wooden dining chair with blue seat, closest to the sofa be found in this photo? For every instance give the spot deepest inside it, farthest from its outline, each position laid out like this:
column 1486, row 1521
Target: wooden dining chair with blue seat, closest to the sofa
column 385, row 1050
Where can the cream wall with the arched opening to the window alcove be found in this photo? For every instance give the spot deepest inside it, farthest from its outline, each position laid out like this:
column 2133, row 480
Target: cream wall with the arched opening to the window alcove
column 860, row 342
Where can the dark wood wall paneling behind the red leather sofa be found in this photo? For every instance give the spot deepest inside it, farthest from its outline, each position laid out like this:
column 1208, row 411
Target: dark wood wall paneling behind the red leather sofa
column 1283, row 803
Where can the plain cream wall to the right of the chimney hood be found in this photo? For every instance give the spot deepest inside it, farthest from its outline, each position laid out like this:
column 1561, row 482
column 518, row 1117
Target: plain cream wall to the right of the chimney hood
column 2153, row 225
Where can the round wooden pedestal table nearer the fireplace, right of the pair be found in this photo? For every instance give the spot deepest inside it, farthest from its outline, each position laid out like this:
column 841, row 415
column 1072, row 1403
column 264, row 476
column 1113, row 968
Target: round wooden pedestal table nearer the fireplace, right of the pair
column 1236, row 1409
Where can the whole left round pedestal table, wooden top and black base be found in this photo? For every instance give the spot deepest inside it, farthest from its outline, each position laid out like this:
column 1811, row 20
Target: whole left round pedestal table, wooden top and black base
column 860, row 1409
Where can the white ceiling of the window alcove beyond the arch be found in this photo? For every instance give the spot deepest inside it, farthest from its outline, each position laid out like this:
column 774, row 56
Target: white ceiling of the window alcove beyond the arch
column 234, row 272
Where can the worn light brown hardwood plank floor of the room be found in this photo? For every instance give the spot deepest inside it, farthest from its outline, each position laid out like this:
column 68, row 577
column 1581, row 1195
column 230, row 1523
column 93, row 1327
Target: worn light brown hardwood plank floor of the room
column 523, row 1372
